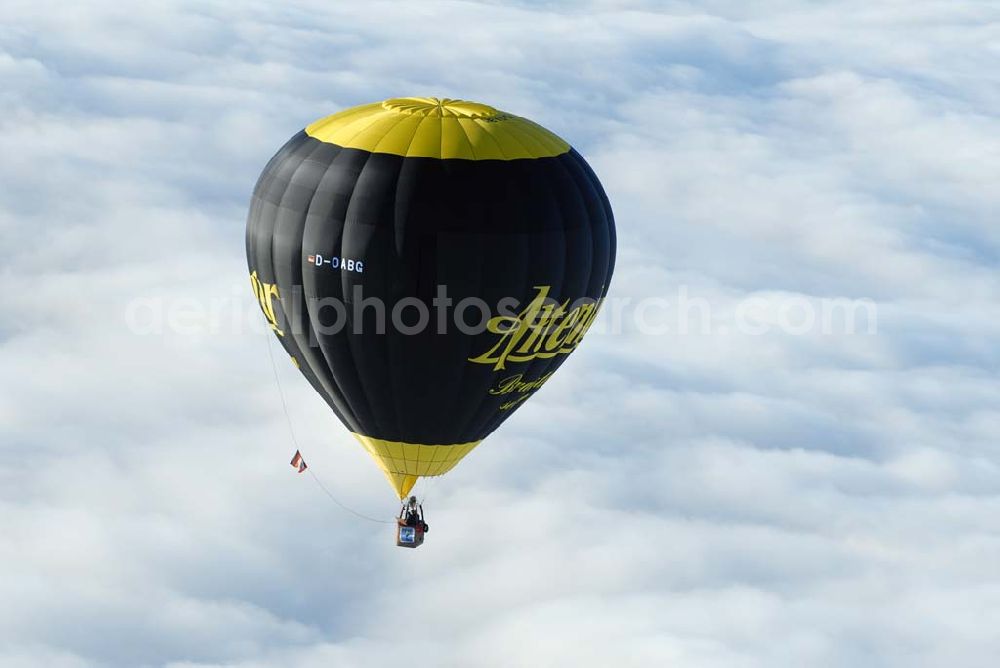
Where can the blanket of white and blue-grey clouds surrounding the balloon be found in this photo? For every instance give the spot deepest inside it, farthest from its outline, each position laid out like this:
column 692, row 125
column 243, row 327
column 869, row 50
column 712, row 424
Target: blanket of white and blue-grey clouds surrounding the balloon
column 713, row 497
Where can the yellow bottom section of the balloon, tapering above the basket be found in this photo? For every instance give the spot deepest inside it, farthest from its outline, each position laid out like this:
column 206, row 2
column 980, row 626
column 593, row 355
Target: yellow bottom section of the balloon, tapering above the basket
column 403, row 463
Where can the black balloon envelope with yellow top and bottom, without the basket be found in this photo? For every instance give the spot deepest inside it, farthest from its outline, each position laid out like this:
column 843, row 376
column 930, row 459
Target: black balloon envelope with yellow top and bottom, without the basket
column 428, row 264
